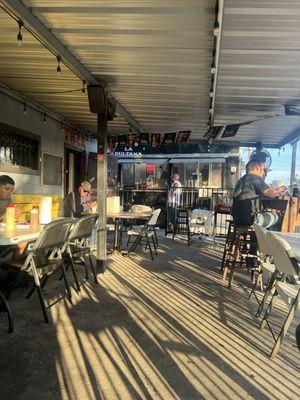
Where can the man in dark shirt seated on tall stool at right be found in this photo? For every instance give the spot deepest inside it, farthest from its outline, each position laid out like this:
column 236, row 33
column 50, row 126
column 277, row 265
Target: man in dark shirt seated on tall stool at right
column 249, row 191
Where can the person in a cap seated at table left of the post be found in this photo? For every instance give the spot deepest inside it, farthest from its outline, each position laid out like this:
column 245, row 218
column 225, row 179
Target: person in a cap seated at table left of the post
column 79, row 201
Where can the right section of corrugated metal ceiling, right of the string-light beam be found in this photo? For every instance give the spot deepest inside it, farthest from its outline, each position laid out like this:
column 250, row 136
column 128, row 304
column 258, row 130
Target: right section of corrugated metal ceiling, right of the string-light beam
column 259, row 69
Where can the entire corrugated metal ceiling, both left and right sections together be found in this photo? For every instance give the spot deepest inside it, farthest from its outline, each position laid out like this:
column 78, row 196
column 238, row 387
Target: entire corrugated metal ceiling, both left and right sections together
column 155, row 57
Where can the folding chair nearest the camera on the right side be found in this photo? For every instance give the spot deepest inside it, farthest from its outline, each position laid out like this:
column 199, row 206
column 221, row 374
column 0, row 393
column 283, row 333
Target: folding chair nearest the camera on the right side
column 288, row 288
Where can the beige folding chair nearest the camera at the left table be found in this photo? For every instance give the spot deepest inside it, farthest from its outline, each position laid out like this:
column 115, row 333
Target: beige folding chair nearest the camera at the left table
column 43, row 259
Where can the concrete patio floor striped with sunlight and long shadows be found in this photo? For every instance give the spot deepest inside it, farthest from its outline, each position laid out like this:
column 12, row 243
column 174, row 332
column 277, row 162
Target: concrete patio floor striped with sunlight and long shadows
column 168, row 329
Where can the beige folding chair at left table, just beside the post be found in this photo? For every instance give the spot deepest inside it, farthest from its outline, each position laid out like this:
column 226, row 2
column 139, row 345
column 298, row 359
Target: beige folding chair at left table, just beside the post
column 79, row 246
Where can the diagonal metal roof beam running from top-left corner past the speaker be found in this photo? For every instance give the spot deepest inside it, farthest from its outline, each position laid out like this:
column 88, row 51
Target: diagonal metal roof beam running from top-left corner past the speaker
column 46, row 36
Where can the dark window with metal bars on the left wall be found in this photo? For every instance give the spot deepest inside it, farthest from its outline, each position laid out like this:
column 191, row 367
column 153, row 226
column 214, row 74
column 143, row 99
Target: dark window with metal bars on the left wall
column 17, row 149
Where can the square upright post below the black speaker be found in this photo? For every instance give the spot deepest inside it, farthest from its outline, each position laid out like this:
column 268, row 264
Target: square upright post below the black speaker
column 101, row 191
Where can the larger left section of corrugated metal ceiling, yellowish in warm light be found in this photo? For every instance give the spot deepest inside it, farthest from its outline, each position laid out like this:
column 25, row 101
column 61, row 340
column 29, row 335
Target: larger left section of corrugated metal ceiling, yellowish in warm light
column 154, row 55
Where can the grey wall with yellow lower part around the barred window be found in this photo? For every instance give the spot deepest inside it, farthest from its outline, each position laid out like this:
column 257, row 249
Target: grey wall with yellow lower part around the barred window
column 52, row 141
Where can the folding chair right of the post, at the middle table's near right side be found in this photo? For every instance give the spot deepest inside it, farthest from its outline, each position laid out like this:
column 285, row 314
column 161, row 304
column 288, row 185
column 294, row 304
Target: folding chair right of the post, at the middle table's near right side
column 146, row 232
